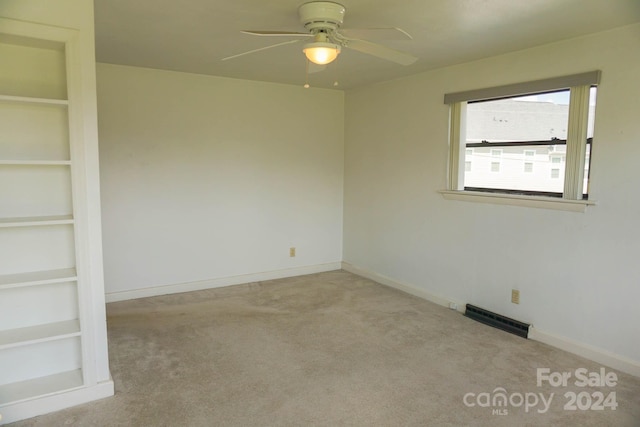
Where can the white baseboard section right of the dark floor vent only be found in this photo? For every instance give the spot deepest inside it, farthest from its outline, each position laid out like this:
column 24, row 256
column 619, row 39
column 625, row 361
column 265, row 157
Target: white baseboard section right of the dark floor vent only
column 595, row 354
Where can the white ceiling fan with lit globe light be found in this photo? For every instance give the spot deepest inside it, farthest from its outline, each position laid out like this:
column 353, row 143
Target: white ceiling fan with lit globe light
column 322, row 20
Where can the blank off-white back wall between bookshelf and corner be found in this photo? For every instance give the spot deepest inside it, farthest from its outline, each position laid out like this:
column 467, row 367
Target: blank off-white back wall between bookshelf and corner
column 206, row 178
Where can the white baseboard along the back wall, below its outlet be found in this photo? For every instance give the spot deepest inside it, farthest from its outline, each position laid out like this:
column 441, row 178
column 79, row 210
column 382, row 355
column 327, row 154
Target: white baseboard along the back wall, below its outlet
column 220, row 282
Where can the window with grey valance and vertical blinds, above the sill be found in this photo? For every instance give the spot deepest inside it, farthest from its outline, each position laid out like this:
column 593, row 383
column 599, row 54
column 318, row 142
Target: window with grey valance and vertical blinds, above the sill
column 538, row 135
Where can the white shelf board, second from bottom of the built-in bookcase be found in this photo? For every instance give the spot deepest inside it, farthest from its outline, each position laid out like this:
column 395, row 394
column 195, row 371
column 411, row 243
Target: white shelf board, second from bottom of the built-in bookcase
column 40, row 333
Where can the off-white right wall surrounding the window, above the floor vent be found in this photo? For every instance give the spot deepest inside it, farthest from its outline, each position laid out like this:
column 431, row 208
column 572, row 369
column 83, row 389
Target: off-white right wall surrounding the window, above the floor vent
column 577, row 272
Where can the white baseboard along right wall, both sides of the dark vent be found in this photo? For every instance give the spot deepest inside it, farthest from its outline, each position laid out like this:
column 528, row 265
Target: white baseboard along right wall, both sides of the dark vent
column 595, row 354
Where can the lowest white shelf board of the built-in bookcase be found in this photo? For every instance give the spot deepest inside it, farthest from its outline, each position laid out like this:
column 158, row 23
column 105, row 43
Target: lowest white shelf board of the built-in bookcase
column 38, row 387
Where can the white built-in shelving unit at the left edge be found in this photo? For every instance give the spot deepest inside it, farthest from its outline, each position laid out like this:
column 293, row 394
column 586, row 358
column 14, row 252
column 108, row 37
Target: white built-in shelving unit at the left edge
column 48, row 311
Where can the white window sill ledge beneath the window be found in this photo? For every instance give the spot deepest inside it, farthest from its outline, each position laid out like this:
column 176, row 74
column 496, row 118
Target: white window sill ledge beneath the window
column 518, row 200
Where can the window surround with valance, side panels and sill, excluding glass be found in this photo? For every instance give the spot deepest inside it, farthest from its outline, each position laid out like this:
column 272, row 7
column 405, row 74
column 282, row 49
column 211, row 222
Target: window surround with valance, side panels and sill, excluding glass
column 571, row 200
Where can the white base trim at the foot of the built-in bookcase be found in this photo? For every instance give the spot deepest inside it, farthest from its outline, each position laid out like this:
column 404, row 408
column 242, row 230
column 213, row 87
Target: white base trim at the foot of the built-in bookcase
column 55, row 402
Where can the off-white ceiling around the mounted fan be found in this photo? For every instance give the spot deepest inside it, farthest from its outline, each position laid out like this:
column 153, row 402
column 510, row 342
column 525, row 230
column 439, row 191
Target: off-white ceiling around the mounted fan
column 193, row 35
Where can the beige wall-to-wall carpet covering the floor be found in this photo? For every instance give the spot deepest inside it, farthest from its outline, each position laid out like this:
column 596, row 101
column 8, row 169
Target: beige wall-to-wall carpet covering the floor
column 330, row 349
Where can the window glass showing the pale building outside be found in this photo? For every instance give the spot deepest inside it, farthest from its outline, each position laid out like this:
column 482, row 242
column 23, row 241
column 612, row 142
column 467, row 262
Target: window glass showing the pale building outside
column 523, row 166
